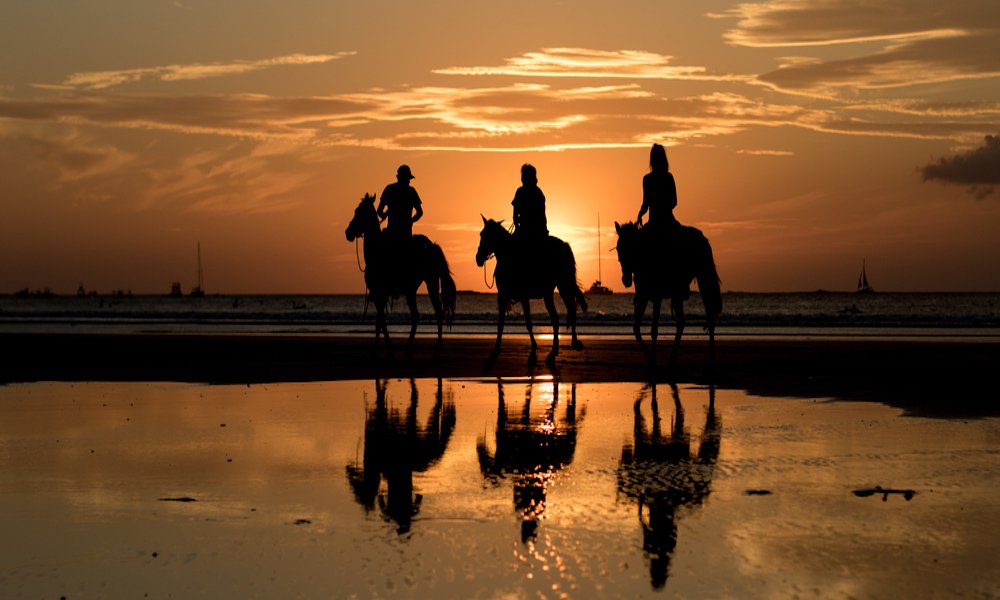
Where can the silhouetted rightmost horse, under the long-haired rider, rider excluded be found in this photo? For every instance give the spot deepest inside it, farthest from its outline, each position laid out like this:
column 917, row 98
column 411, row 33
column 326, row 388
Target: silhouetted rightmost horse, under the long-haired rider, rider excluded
column 664, row 268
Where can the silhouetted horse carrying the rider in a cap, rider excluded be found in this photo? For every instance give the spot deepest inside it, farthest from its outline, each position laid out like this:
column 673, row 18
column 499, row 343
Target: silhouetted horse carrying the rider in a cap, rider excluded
column 398, row 267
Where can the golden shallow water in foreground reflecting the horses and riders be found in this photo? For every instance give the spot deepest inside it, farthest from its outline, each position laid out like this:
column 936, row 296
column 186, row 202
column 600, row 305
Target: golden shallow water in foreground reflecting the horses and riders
column 485, row 489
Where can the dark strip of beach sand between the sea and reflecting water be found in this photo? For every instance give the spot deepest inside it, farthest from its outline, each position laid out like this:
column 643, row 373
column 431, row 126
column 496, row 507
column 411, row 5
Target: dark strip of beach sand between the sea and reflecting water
column 931, row 377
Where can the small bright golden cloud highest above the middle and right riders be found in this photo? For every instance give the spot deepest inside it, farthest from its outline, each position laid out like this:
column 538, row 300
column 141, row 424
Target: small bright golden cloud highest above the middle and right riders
column 583, row 62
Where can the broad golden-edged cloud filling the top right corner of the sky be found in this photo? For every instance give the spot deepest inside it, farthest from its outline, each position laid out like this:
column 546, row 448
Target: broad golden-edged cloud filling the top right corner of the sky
column 901, row 43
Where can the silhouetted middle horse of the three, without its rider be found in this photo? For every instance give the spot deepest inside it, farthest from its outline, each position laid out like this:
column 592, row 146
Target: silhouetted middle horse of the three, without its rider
column 532, row 269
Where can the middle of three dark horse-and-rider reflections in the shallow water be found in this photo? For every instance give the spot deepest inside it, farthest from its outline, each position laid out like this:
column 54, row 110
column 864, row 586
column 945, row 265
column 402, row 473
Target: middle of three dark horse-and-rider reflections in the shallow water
column 530, row 449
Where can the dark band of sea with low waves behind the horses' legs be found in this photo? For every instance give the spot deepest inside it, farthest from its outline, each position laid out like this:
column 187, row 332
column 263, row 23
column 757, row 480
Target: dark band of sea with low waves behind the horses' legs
column 752, row 314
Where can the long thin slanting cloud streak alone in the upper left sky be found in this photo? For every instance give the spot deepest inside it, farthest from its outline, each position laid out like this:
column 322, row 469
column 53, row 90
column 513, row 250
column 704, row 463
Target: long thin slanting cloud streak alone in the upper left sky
column 99, row 80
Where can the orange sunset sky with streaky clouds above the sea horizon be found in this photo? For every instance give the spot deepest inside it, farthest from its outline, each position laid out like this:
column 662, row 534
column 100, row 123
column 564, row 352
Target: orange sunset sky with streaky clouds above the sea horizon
column 805, row 136
